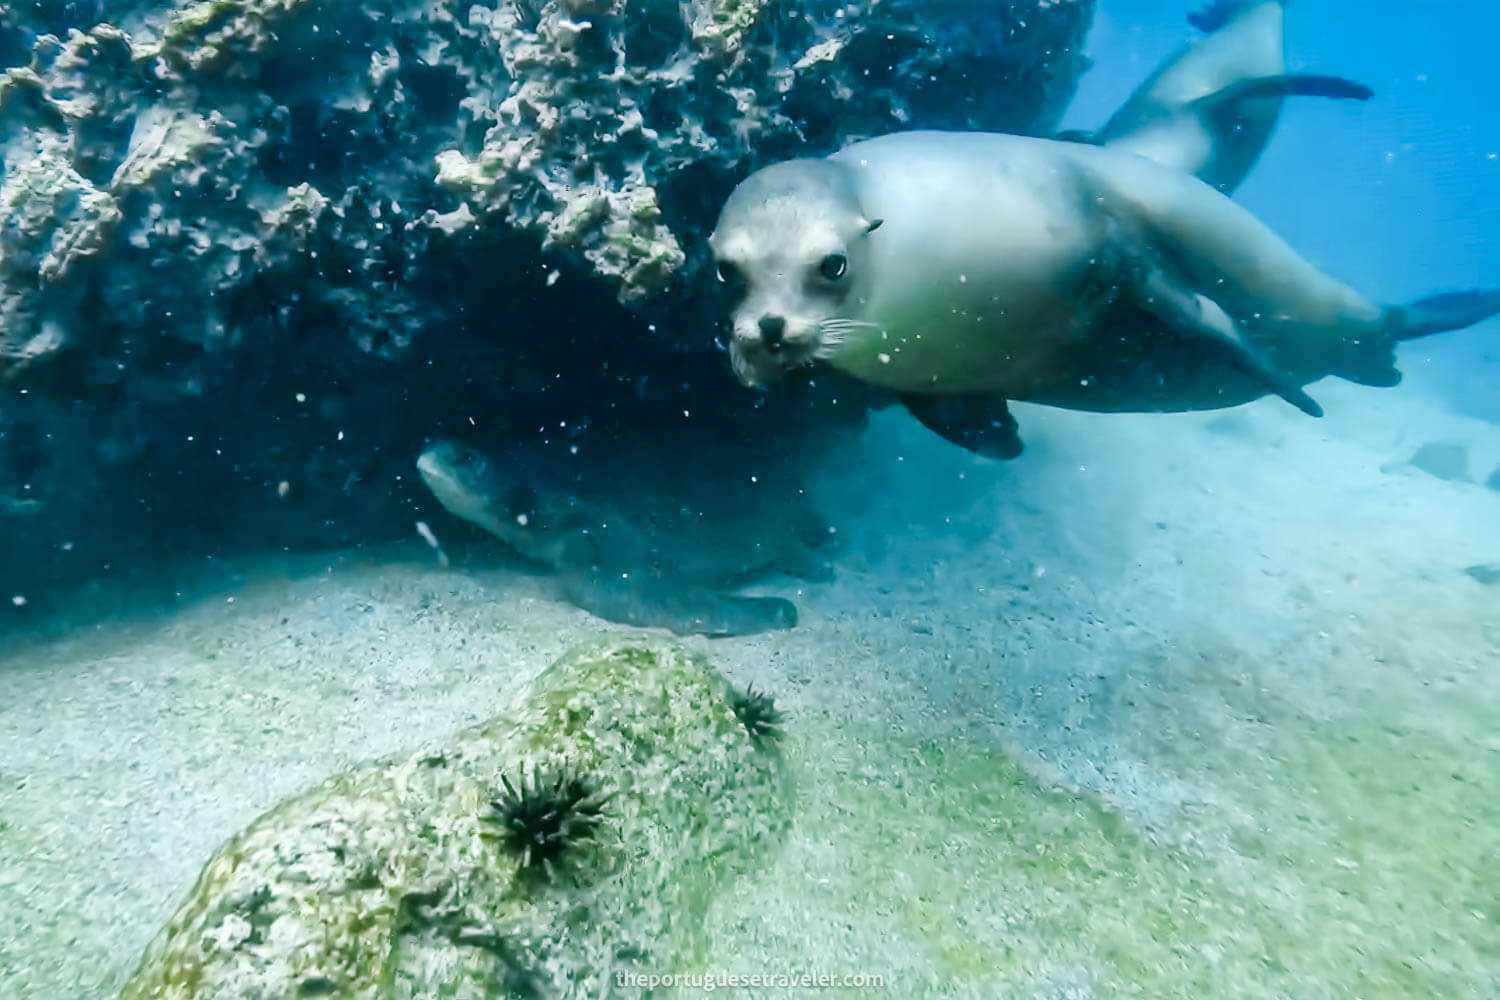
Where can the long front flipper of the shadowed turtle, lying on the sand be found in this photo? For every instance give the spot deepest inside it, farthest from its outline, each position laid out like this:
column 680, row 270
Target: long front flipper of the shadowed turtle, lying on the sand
column 683, row 609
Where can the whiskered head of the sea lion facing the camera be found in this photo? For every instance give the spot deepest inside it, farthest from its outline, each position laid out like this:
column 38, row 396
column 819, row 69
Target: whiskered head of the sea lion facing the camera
column 791, row 250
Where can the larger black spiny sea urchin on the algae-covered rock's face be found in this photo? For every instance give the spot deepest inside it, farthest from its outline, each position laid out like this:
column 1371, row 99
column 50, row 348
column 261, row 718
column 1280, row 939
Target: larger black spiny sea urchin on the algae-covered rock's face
column 547, row 818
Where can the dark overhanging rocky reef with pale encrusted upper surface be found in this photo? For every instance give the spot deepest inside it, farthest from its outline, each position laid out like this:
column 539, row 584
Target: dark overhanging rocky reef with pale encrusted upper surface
column 257, row 251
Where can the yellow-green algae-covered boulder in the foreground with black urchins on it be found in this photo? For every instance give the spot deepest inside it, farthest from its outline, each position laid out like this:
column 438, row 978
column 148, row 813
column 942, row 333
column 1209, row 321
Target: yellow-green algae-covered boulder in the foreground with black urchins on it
column 403, row 879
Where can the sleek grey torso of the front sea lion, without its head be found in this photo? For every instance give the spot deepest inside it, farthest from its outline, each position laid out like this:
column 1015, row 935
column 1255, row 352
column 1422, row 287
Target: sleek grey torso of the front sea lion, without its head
column 1039, row 262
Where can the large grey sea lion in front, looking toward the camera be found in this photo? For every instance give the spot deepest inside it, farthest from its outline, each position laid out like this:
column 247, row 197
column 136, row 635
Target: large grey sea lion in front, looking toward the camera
column 1079, row 277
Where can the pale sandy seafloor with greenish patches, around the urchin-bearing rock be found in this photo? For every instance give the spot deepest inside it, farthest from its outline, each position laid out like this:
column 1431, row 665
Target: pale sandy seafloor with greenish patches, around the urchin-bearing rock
column 1174, row 707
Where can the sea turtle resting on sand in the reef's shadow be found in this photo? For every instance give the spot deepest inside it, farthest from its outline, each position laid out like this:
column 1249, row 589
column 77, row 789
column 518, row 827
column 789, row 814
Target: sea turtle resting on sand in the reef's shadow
column 650, row 542
